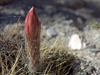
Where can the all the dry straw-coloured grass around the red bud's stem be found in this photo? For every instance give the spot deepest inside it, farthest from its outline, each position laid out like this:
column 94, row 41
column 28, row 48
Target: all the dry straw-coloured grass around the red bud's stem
column 54, row 57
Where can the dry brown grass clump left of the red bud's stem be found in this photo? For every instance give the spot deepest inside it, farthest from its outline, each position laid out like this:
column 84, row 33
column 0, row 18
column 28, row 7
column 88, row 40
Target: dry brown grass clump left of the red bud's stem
column 10, row 45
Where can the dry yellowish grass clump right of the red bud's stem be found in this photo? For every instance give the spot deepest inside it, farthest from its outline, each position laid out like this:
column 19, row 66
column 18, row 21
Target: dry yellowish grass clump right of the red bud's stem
column 55, row 58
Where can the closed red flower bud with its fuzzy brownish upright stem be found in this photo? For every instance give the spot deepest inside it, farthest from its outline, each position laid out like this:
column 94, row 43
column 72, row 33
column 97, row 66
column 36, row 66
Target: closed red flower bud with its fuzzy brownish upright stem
column 32, row 31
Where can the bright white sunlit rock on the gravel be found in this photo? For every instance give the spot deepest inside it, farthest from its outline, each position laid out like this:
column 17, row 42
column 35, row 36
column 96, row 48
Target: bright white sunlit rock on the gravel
column 76, row 43
